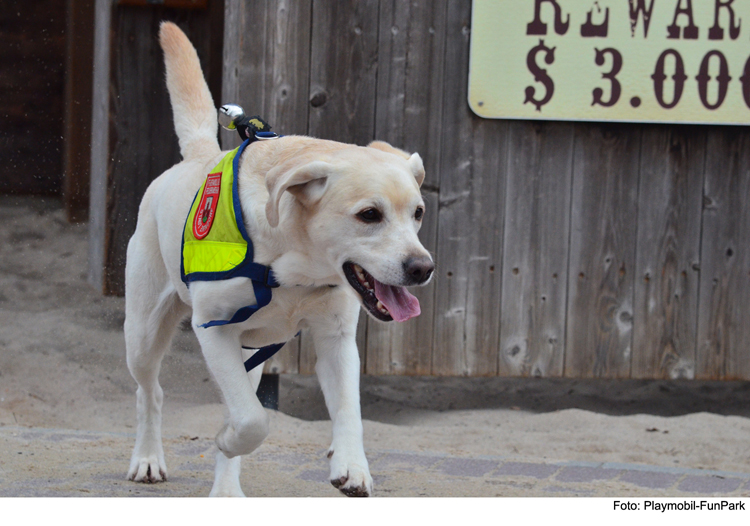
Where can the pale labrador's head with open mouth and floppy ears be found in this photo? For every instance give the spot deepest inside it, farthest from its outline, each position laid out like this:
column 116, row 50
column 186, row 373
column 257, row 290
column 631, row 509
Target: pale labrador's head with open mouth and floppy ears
column 361, row 209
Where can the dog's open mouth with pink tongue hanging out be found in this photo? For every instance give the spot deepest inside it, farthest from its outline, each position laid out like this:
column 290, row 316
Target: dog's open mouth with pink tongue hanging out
column 383, row 302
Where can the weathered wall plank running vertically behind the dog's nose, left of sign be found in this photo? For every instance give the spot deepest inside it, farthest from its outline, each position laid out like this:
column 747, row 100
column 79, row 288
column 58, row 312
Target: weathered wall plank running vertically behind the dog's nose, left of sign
column 411, row 48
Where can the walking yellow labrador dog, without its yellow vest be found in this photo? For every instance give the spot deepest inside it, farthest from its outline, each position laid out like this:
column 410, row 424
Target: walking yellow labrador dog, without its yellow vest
column 338, row 225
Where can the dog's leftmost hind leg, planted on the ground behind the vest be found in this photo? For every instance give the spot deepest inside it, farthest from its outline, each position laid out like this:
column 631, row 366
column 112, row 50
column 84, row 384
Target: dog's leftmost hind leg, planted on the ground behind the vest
column 153, row 310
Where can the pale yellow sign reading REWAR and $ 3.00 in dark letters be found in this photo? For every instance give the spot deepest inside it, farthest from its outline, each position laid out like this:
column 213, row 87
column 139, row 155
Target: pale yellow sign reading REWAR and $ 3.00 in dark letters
column 681, row 61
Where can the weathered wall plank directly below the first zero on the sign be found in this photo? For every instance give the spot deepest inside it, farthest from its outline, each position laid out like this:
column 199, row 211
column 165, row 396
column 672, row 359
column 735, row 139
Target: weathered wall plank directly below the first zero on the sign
column 668, row 253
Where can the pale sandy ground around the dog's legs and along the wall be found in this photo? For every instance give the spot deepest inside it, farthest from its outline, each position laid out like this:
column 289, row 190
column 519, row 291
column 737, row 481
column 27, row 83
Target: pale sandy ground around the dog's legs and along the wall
column 62, row 367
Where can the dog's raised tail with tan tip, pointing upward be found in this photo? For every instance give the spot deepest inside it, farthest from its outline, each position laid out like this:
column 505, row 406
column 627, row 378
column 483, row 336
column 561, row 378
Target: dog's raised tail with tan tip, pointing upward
column 192, row 106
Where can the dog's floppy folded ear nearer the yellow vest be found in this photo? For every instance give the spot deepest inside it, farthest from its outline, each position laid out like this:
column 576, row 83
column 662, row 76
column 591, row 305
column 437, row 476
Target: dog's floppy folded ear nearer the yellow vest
column 307, row 183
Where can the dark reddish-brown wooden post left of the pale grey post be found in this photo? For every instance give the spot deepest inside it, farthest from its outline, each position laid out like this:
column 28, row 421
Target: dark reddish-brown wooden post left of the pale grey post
column 77, row 130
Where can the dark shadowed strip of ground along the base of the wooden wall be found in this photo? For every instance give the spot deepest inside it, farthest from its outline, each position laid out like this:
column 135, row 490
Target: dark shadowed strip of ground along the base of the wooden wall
column 406, row 397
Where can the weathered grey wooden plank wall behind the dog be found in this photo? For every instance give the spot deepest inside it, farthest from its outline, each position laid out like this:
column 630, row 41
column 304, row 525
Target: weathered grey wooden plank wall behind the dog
column 562, row 249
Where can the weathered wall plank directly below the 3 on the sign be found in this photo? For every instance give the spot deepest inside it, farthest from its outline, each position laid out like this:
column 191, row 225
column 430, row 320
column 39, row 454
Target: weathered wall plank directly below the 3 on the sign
column 602, row 251
